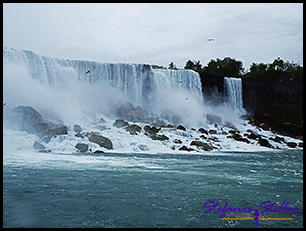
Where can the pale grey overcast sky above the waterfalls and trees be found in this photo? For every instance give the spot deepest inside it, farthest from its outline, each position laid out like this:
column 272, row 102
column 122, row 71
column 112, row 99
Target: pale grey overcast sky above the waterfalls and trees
column 157, row 33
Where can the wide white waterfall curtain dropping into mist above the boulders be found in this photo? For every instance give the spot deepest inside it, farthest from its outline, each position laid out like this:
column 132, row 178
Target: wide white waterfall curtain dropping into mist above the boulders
column 138, row 84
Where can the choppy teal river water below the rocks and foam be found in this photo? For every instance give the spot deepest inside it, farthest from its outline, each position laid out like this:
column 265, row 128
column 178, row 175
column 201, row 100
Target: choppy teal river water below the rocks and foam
column 150, row 190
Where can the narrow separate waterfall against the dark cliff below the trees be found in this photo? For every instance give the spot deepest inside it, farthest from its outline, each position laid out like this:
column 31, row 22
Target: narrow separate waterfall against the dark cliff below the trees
column 233, row 91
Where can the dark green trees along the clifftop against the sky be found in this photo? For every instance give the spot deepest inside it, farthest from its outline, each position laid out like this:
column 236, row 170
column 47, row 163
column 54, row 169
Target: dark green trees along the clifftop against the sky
column 234, row 68
